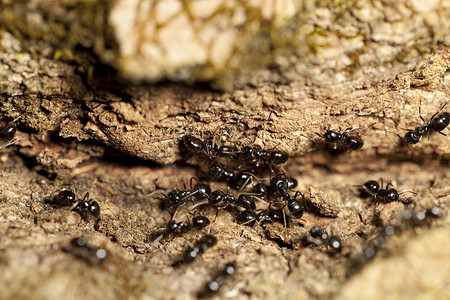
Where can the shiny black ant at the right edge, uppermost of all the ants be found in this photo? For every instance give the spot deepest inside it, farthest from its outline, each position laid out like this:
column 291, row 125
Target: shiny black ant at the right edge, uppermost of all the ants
column 437, row 123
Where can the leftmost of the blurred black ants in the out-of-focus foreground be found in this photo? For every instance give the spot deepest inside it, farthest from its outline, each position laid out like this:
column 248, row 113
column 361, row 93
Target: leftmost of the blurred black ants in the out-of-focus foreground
column 82, row 250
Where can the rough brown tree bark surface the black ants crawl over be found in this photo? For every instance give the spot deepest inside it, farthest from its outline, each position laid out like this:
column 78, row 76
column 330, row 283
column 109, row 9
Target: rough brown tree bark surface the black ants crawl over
column 77, row 76
